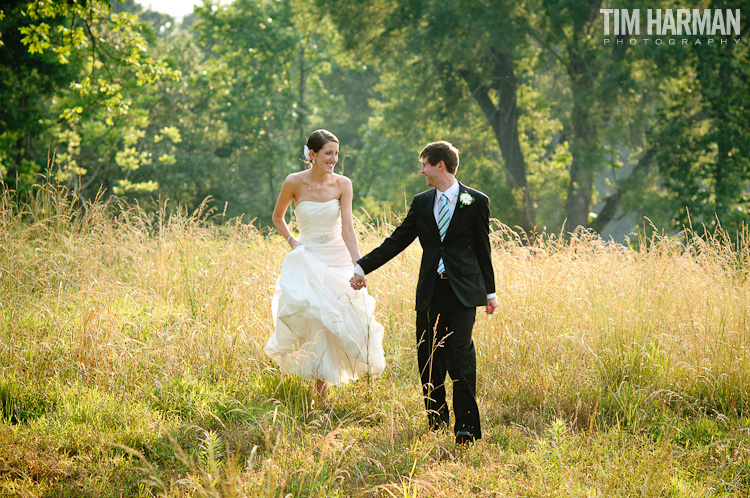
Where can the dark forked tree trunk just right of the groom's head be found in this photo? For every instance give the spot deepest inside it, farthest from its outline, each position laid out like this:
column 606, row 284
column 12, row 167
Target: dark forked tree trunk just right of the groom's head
column 504, row 121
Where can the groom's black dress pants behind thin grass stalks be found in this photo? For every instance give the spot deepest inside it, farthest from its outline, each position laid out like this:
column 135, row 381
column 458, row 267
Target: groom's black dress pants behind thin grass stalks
column 444, row 344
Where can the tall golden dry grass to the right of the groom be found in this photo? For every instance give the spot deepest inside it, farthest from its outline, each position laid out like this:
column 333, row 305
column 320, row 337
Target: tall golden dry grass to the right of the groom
column 587, row 320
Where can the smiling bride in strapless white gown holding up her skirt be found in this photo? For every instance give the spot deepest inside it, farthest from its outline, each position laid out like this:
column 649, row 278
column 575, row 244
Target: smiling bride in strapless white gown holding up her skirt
column 324, row 330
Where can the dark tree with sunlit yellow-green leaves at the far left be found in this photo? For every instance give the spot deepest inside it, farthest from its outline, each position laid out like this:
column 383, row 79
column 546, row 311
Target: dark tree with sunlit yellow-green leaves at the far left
column 98, row 64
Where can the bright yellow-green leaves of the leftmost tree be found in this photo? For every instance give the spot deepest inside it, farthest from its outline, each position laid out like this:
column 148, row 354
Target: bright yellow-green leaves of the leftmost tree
column 106, row 57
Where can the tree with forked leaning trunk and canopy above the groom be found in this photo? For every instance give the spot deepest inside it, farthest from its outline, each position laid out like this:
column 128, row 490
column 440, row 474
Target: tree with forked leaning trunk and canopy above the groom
column 452, row 61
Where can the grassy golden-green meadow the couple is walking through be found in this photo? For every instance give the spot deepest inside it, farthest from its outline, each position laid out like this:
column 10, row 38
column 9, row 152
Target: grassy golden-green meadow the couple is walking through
column 132, row 365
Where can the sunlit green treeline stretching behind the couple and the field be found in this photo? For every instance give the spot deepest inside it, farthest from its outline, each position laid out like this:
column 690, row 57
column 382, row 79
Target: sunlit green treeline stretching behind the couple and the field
column 554, row 125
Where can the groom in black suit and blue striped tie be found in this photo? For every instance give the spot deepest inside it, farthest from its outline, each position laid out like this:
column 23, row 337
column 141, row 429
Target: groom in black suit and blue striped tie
column 455, row 276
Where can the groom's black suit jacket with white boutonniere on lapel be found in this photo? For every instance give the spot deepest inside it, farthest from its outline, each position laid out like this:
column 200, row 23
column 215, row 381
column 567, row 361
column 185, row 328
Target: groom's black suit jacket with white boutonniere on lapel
column 465, row 249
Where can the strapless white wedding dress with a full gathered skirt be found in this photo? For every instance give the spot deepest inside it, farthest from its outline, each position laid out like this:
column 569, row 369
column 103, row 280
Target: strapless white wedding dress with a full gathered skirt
column 323, row 328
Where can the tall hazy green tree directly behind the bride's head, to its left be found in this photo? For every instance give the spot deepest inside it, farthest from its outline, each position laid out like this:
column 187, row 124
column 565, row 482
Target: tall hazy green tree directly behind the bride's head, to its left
column 260, row 71
